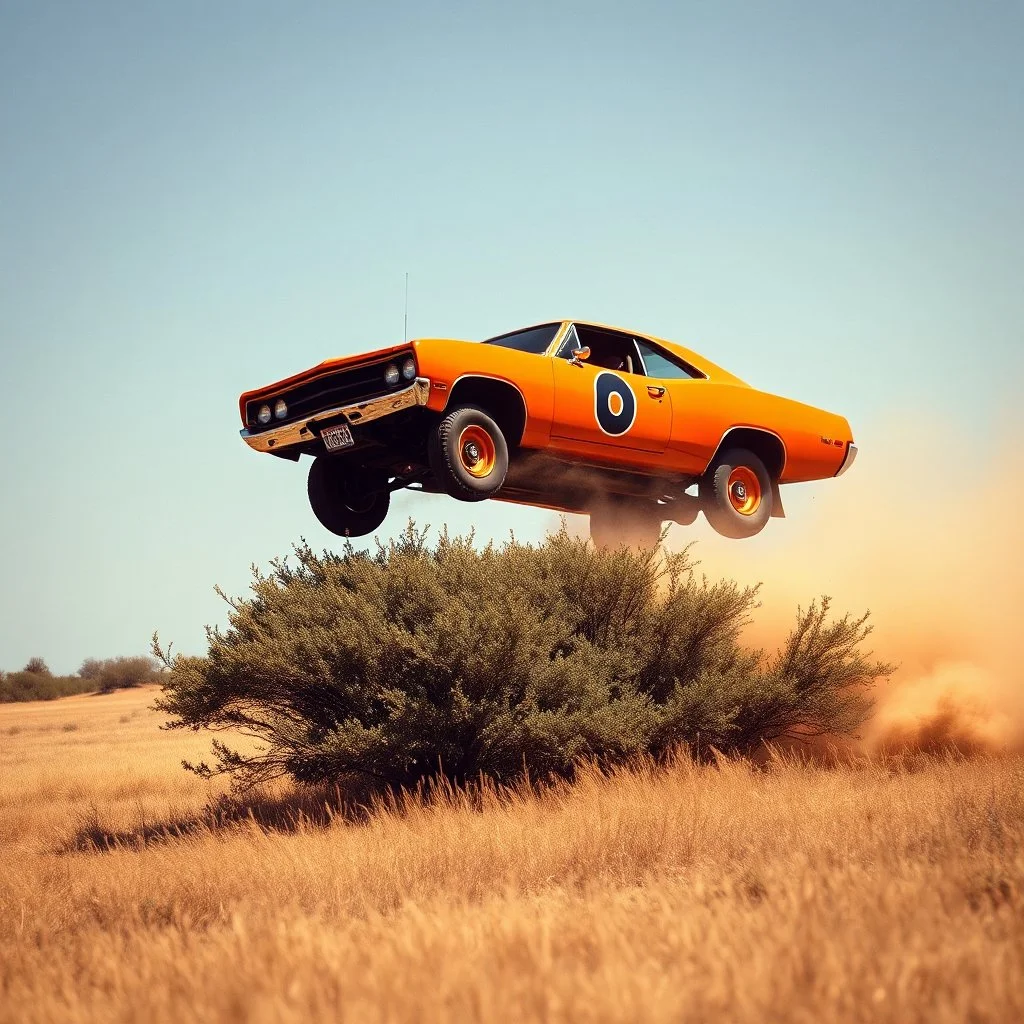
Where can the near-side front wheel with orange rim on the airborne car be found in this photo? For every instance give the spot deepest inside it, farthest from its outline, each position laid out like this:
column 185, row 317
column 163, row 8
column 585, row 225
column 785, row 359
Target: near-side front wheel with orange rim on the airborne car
column 468, row 454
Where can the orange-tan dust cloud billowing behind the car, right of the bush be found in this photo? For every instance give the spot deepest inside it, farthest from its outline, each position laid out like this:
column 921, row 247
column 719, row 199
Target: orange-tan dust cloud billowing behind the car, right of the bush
column 926, row 534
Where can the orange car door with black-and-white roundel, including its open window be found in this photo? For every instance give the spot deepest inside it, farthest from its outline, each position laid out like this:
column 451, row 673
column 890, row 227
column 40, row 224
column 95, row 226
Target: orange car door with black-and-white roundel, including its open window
column 604, row 405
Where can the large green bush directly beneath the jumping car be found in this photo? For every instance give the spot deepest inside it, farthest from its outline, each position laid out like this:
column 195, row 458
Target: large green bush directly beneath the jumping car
column 418, row 660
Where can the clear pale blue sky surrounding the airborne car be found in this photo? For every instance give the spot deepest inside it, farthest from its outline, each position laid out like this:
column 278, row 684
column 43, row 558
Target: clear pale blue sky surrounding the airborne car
column 197, row 199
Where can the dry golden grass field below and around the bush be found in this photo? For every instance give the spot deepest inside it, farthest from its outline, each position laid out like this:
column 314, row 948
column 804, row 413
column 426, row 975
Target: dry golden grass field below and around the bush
column 724, row 893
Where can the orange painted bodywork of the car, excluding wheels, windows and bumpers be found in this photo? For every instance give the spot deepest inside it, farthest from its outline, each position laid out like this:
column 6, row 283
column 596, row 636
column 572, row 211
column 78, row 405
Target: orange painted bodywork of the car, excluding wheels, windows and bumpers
column 679, row 423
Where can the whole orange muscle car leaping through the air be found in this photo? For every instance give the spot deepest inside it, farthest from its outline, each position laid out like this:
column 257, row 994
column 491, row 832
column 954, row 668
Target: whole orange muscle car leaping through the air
column 570, row 416
